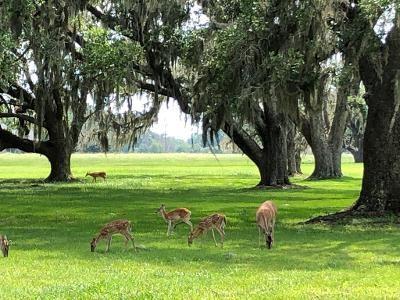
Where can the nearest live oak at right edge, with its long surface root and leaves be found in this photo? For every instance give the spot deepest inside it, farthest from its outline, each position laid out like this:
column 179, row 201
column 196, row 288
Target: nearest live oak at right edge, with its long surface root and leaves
column 379, row 66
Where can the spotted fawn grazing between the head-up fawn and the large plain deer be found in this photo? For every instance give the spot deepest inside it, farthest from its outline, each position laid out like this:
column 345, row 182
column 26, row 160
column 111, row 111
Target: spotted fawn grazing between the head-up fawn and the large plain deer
column 215, row 221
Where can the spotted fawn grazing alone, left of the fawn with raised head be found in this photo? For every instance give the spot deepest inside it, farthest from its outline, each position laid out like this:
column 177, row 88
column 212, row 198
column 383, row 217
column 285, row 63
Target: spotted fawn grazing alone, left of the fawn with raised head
column 122, row 227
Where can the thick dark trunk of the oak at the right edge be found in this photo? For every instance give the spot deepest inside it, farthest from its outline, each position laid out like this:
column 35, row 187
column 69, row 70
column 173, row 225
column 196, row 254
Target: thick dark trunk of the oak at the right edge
column 380, row 191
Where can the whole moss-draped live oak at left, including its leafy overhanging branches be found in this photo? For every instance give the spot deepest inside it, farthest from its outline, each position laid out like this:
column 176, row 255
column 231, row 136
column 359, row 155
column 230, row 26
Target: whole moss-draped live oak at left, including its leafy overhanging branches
column 62, row 72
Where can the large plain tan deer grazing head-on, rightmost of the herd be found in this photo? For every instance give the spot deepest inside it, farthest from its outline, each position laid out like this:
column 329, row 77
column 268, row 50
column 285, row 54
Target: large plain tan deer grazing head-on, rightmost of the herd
column 265, row 218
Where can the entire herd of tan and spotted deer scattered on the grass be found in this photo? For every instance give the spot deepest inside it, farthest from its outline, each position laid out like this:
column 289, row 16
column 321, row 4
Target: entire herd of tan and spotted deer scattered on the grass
column 265, row 218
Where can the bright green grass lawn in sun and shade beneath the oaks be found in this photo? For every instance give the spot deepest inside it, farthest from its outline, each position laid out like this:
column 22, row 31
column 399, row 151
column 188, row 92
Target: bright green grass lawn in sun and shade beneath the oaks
column 51, row 226
